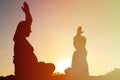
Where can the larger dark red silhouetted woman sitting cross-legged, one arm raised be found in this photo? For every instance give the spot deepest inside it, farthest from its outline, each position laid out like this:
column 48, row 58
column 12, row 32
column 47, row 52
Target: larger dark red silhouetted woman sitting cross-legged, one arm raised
column 26, row 64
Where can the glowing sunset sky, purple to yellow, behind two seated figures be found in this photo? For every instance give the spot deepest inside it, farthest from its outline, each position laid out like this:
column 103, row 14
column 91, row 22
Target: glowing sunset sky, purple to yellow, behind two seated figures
column 54, row 25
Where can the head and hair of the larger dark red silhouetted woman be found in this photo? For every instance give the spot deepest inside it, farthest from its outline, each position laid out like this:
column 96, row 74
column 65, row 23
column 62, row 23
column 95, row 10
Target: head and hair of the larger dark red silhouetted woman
column 22, row 30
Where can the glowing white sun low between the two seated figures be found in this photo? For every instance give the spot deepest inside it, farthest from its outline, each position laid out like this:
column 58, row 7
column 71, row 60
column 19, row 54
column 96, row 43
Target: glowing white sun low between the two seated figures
column 62, row 65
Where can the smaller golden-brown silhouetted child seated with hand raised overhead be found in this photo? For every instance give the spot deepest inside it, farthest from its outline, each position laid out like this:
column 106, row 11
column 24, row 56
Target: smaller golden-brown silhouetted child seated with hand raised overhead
column 79, row 70
